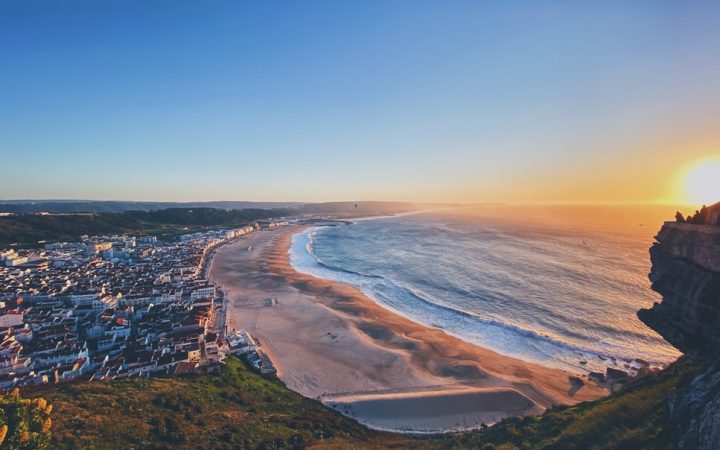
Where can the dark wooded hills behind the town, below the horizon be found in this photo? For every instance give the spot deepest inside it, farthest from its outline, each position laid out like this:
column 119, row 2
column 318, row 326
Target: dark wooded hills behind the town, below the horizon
column 27, row 230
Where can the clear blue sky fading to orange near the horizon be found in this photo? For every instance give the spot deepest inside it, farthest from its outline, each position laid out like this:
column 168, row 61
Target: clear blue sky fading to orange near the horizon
column 462, row 101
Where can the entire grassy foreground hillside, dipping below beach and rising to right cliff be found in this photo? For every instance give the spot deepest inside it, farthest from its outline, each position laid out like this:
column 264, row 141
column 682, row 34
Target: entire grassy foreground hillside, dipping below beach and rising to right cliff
column 238, row 408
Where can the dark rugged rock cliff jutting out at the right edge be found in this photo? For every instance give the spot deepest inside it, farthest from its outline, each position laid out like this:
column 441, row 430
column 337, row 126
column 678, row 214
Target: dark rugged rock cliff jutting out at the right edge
column 686, row 272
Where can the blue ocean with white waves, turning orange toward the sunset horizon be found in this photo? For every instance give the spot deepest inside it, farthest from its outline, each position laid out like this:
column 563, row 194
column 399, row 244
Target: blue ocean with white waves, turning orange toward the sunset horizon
column 558, row 286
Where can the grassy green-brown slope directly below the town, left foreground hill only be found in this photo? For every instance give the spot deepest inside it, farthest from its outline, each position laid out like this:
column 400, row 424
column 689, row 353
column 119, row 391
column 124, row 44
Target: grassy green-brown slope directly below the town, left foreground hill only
column 237, row 408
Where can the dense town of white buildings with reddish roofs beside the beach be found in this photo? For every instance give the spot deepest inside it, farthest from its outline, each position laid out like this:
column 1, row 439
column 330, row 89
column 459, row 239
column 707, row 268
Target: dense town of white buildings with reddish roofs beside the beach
column 109, row 307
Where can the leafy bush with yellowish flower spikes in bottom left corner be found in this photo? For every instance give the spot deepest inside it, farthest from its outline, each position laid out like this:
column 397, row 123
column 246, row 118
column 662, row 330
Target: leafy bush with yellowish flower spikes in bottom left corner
column 24, row 423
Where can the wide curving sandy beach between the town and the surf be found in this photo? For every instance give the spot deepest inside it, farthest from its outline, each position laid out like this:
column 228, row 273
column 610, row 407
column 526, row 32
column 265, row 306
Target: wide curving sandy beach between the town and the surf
column 329, row 341
